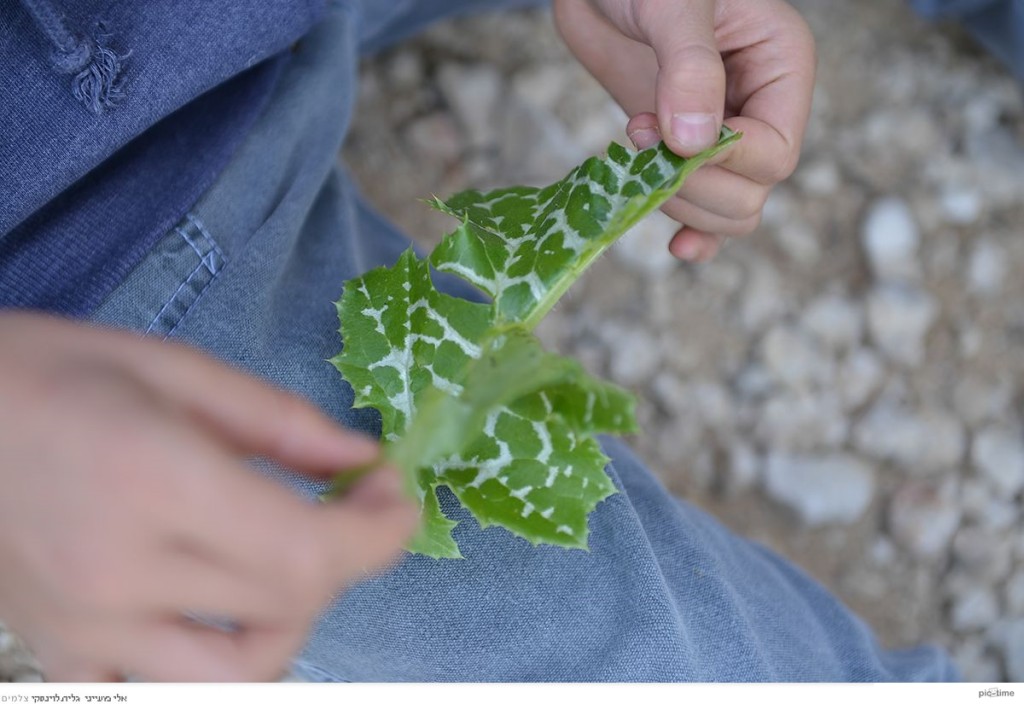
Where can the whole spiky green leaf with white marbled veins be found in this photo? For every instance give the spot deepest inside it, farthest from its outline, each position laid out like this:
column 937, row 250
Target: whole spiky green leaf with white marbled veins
column 468, row 398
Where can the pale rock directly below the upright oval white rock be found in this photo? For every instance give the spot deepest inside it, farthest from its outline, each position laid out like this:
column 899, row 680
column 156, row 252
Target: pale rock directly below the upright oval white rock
column 900, row 319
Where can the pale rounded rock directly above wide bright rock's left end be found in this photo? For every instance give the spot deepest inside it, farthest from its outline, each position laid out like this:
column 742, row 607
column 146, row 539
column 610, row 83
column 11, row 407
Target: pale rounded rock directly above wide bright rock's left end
column 802, row 422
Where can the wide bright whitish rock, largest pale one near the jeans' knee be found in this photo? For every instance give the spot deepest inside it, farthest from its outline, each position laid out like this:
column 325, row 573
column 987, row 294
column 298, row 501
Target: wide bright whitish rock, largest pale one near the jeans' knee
column 826, row 490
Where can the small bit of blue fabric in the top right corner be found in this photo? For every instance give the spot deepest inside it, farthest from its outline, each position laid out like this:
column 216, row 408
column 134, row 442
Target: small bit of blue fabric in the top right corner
column 999, row 25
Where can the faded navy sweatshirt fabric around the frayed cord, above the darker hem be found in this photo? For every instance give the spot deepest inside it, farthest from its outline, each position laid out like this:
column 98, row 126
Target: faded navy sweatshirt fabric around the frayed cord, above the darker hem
column 179, row 51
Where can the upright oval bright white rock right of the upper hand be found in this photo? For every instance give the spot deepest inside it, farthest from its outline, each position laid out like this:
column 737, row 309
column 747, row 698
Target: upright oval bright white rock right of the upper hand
column 891, row 238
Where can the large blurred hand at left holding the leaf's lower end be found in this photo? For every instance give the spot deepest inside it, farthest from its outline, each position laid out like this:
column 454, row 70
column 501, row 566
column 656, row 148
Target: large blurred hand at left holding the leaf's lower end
column 125, row 503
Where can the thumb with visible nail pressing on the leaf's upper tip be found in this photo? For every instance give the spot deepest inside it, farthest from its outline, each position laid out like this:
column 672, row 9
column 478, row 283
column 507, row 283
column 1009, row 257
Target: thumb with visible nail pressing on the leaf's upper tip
column 691, row 92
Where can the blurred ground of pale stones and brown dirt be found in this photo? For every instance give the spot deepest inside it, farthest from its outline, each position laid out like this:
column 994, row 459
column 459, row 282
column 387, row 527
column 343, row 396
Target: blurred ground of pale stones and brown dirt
column 845, row 386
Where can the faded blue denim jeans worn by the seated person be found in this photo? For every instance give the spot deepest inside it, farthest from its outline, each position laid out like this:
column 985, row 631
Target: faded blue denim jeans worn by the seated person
column 665, row 594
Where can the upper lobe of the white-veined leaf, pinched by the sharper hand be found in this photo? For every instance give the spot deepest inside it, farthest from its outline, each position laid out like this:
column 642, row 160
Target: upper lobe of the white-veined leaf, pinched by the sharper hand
column 525, row 247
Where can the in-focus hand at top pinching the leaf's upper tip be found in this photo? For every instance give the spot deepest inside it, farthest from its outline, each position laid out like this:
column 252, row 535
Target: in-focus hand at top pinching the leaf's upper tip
column 678, row 68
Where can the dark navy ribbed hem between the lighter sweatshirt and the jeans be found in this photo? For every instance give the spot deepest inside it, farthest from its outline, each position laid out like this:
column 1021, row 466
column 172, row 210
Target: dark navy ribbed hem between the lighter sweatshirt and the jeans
column 70, row 255
